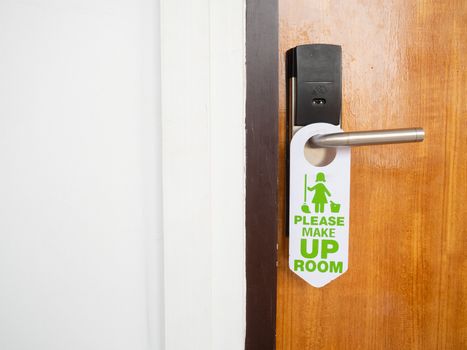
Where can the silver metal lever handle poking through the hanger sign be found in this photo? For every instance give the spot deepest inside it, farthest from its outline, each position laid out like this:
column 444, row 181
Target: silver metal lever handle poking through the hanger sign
column 363, row 138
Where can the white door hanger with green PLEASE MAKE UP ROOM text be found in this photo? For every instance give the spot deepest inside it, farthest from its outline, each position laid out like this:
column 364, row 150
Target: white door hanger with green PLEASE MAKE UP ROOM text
column 318, row 210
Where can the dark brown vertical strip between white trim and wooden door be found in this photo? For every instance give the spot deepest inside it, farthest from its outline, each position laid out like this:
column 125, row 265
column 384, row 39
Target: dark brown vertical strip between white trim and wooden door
column 261, row 172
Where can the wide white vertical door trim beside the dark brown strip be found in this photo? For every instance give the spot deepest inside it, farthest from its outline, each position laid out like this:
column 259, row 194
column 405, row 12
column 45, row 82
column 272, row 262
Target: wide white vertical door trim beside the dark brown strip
column 203, row 113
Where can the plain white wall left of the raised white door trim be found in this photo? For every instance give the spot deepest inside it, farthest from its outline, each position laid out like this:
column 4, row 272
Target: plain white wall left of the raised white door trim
column 80, row 238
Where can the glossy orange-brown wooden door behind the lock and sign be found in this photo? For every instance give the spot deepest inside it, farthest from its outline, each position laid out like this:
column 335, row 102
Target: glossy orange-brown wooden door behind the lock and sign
column 404, row 65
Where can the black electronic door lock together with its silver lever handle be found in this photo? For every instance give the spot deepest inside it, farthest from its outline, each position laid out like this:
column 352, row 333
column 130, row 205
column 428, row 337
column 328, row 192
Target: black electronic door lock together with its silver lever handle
column 314, row 96
